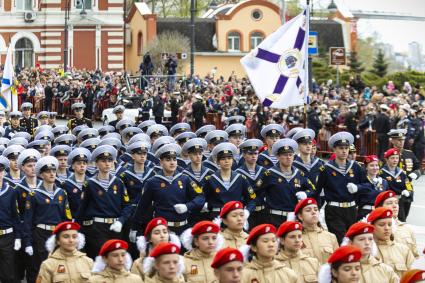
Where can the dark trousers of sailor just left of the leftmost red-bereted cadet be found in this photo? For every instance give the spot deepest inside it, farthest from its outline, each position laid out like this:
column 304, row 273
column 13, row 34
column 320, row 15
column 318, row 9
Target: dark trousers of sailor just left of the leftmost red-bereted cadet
column 39, row 238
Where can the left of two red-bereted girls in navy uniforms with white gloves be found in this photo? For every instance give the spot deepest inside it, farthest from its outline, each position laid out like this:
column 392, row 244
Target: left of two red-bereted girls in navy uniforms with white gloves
column 370, row 187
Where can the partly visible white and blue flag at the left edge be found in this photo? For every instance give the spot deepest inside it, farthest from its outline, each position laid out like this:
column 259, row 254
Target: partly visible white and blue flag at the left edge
column 8, row 97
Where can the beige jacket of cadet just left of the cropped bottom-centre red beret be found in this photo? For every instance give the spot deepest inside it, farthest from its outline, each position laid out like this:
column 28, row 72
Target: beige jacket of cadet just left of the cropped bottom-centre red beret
column 198, row 267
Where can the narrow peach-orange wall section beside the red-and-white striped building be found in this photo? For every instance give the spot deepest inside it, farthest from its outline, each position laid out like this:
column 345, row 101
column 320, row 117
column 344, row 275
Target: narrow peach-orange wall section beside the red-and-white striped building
column 132, row 60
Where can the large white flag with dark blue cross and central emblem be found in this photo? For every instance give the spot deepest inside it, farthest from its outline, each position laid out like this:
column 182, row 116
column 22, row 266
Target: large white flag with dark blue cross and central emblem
column 278, row 67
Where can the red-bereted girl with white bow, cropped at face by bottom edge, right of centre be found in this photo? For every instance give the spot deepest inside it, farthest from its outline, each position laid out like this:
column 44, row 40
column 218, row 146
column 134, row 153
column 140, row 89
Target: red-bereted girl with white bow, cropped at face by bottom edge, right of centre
column 343, row 266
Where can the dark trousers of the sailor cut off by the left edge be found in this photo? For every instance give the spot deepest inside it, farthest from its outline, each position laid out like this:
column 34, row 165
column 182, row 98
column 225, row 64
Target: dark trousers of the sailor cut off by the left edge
column 7, row 258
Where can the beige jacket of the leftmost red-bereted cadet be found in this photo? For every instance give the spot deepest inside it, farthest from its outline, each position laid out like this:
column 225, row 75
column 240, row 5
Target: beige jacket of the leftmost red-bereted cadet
column 65, row 267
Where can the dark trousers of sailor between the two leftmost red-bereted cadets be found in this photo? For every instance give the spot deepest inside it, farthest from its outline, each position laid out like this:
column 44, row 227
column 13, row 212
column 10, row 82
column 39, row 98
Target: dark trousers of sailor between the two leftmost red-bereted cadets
column 96, row 235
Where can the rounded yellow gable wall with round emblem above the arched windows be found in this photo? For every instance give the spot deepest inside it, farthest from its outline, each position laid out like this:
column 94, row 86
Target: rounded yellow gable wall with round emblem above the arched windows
column 244, row 24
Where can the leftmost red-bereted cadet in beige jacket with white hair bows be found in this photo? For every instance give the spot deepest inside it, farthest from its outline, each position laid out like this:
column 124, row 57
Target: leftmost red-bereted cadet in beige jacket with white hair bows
column 65, row 262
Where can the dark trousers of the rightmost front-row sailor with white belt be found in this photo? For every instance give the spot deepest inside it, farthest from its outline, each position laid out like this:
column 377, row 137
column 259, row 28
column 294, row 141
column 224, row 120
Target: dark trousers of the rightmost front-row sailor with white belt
column 339, row 219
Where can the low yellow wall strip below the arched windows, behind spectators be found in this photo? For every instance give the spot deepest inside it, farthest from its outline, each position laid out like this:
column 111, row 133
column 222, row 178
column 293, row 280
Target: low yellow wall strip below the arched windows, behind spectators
column 225, row 65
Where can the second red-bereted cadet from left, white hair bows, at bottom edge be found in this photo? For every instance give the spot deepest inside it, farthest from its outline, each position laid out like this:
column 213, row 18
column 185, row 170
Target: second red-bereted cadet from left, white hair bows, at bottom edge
column 113, row 264
